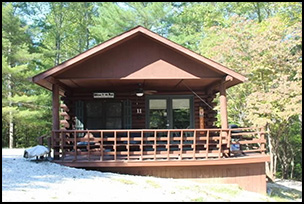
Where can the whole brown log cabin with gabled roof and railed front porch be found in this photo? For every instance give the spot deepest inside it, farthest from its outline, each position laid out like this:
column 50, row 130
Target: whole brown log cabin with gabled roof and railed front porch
column 142, row 104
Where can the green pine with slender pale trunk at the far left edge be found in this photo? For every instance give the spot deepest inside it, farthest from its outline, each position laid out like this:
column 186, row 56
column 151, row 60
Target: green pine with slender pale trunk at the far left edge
column 20, row 100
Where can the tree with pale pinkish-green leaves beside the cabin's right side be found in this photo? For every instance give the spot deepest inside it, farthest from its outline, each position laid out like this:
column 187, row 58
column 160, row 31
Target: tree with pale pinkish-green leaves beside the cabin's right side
column 269, row 55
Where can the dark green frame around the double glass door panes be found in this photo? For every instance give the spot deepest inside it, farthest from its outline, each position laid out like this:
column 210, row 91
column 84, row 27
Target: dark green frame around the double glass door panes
column 169, row 108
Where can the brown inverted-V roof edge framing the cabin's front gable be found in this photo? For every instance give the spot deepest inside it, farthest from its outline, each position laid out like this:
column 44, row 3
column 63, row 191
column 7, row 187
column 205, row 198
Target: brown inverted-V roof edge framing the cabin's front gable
column 45, row 78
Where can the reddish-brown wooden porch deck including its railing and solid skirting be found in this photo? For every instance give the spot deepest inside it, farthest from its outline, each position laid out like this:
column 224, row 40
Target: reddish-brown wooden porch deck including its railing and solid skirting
column 232, row 156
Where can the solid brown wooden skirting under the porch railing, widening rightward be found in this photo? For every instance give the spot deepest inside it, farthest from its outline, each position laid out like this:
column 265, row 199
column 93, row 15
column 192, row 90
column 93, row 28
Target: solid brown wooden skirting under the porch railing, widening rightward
column 247, row 172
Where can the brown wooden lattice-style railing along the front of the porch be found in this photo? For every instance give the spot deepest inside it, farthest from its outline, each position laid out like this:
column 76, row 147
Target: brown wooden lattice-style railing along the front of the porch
column 156, row 144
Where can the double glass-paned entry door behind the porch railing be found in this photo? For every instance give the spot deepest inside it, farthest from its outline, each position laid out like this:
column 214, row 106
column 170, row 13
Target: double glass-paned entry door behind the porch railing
column 173, row 112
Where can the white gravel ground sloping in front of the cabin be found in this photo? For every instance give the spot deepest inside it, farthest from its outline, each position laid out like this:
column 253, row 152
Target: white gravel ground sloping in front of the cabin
column 27, row 180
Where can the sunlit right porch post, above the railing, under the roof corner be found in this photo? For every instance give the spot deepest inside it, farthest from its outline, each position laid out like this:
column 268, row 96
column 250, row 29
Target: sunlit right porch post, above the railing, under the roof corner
column 223, row 105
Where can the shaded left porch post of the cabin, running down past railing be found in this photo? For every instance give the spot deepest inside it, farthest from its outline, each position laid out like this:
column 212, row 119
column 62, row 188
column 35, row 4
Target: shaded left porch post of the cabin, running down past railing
column 55, row 103
